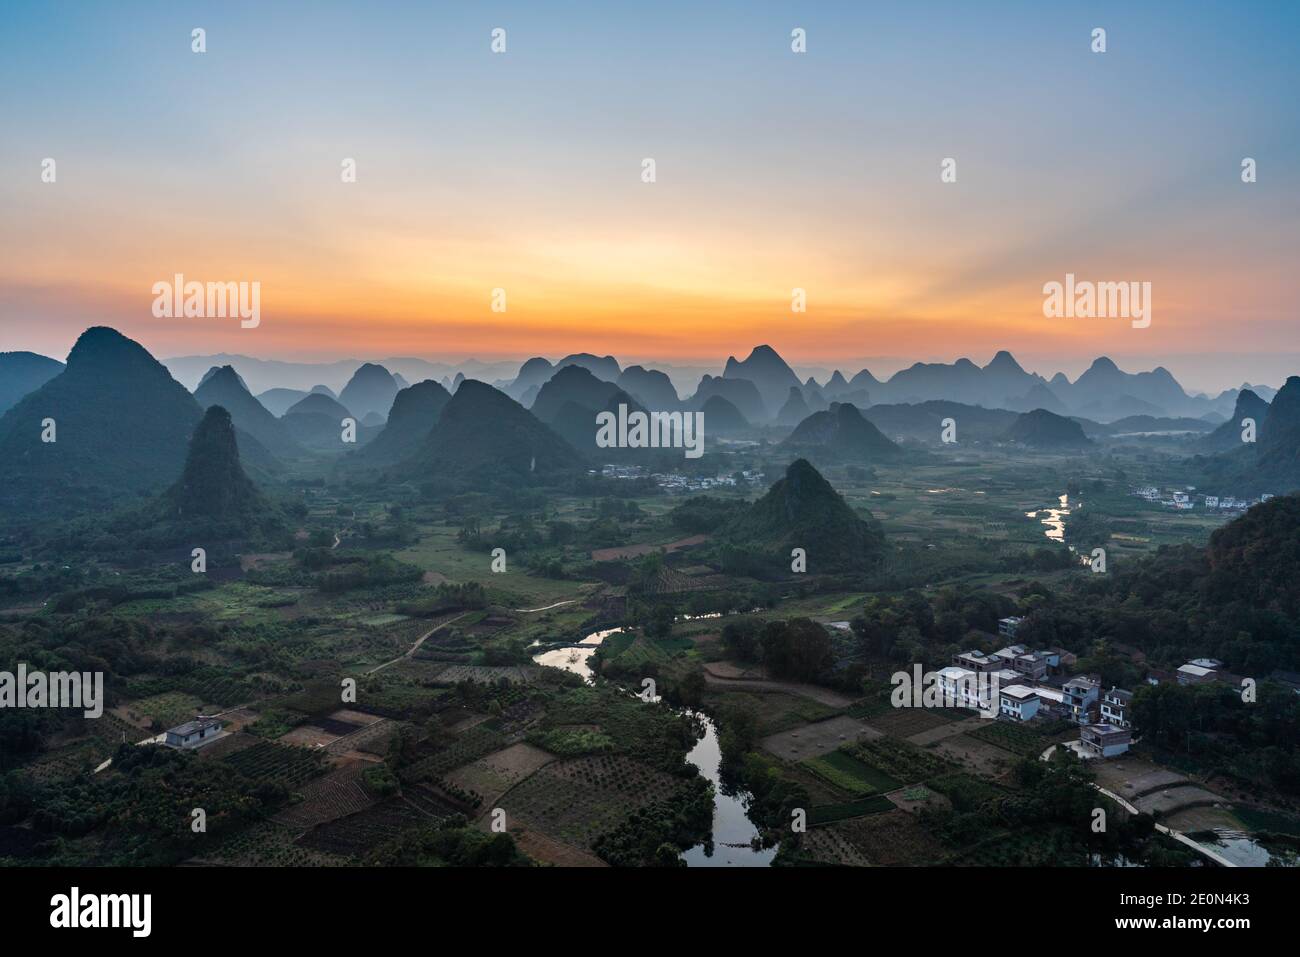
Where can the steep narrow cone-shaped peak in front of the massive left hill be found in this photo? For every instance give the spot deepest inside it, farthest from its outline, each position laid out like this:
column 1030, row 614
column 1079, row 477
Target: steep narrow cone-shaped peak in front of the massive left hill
column 214, row 496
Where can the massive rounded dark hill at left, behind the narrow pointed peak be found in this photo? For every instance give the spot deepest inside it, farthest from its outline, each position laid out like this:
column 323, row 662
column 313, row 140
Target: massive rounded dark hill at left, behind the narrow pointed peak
column 122, row 425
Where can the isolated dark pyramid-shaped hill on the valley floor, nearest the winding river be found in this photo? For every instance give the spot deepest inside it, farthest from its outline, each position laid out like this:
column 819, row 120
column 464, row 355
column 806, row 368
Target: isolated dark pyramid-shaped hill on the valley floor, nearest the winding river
column 803, row 510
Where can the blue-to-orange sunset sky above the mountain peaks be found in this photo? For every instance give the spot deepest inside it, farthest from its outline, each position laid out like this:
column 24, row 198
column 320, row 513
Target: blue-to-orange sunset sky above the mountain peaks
column 774, row 171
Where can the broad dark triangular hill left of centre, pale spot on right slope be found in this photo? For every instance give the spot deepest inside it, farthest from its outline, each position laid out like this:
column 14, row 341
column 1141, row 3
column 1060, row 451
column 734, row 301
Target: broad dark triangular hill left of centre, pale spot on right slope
column 486, row 436
